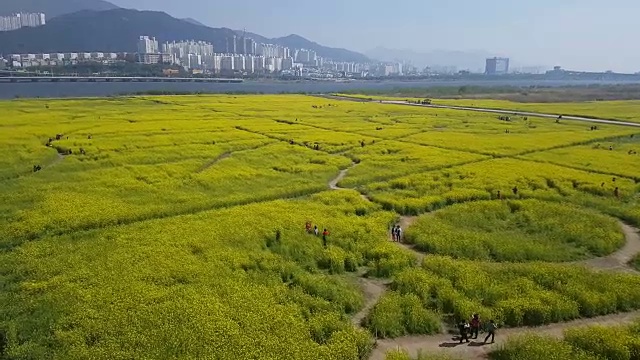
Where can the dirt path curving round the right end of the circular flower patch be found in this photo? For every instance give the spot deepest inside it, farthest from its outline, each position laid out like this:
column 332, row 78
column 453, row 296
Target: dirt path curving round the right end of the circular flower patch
column 619, row 260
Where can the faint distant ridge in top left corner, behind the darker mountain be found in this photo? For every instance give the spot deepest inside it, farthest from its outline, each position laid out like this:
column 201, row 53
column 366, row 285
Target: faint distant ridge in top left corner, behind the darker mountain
column 53, row 8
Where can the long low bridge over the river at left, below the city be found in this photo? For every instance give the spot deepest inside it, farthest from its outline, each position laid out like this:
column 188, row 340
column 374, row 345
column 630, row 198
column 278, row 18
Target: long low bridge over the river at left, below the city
column 23, row 79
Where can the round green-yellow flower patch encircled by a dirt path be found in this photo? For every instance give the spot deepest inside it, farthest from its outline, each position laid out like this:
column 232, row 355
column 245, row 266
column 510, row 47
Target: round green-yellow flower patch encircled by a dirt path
column 517, row 231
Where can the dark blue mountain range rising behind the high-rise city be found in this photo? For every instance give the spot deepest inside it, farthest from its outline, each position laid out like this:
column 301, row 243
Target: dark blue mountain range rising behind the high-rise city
column 97, row 25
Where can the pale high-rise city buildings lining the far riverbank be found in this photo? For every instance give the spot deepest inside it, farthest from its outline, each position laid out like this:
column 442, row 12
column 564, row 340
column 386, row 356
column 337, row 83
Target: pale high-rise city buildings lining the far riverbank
column 243, row 56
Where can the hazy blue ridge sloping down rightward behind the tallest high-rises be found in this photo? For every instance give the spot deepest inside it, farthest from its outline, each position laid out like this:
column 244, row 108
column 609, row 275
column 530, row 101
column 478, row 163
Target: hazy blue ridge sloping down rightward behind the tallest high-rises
column 298, row 42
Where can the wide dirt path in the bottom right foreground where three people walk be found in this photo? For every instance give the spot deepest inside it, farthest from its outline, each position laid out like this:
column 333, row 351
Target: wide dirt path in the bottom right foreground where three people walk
column 476, row 349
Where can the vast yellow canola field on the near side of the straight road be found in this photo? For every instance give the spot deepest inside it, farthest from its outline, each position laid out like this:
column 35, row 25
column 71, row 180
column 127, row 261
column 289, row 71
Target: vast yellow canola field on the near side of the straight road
column 173, row 227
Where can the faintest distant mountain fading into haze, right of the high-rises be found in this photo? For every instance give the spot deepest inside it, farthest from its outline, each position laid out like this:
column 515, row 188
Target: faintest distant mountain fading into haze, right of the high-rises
column 460, row 59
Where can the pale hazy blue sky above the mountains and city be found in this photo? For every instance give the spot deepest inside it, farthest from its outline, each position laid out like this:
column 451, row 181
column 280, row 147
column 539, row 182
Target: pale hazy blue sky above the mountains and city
column 577, row 34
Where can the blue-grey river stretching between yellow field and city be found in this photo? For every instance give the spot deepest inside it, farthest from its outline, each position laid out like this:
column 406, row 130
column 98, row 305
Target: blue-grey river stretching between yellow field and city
column 62, row 89
